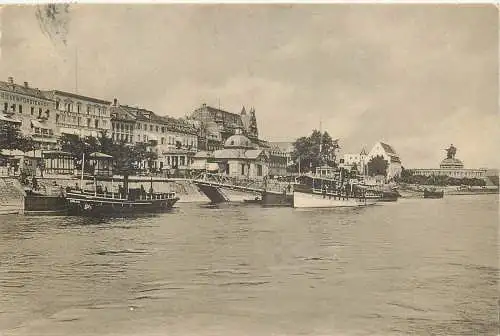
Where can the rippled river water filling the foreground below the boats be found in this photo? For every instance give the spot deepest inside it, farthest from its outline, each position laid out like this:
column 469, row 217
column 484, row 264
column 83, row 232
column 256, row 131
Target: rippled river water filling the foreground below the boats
column 419, row 267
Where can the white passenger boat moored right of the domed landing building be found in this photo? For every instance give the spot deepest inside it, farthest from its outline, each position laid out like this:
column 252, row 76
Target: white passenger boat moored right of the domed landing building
column 325, row 192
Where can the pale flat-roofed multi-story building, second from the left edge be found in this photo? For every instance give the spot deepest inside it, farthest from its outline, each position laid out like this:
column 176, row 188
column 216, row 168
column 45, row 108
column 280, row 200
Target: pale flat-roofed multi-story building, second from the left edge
column 81, row 115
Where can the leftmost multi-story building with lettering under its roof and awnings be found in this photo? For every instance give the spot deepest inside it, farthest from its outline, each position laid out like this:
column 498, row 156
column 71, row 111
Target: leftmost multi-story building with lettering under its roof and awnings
column 33, row 109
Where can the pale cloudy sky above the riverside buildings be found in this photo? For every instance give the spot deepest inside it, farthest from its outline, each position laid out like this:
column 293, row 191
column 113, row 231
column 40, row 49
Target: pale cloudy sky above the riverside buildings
column 418, row 77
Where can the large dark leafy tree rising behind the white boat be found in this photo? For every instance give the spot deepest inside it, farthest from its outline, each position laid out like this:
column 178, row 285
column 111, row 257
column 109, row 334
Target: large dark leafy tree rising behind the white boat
column 307, row 151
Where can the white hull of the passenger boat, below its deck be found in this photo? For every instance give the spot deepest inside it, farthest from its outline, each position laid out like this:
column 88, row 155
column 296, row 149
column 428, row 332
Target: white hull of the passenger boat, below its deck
column 311, row 200
